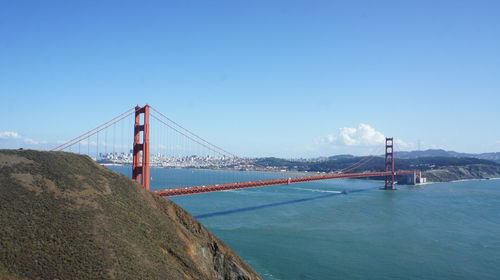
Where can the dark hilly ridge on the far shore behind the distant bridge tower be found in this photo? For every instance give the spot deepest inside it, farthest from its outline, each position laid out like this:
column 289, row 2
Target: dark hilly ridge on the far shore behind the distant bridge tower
column 438, row 165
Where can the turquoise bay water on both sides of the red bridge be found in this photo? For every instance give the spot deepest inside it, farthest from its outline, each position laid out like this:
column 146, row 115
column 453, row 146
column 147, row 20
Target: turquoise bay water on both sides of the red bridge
column 311, row 231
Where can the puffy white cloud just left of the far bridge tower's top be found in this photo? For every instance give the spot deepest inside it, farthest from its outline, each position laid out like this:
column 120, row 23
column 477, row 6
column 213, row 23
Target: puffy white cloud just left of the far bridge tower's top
column 363, row 135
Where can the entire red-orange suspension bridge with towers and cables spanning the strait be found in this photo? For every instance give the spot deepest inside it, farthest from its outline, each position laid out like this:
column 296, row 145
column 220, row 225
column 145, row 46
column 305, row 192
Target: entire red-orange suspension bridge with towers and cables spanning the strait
column 145, row 117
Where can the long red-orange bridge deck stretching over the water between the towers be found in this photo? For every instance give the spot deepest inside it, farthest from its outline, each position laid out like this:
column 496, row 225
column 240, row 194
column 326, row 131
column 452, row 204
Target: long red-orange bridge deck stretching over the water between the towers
column 265, row 183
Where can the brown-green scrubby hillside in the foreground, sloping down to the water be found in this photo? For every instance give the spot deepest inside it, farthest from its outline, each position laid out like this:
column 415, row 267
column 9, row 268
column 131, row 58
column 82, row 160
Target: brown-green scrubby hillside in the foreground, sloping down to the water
column 65, row 217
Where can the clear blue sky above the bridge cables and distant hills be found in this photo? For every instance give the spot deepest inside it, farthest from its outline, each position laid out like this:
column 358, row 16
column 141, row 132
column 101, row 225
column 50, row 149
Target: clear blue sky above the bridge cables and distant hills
column 281, row 78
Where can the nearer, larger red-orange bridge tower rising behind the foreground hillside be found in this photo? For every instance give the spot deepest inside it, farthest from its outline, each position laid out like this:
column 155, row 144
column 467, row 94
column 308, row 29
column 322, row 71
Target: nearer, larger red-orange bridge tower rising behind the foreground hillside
column 140, row 163
